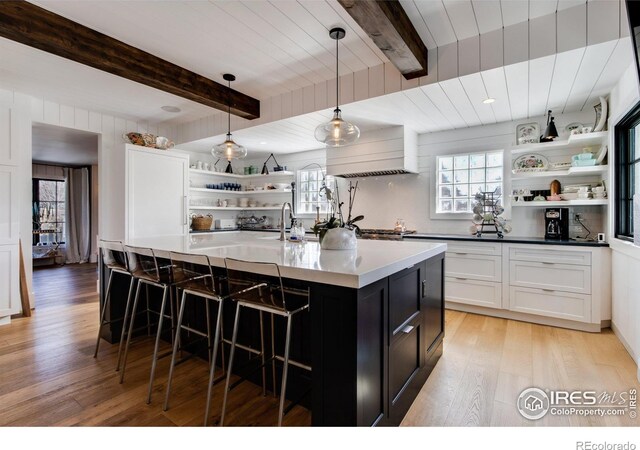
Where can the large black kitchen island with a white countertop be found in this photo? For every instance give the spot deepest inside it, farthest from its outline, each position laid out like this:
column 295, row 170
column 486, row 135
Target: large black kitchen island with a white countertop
column 376, row 320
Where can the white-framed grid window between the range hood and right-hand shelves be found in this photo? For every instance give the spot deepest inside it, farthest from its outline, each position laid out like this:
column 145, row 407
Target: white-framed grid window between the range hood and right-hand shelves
column 459, row 177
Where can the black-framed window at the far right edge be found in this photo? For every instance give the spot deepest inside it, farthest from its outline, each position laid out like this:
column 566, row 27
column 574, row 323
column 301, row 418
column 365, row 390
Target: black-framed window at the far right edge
column 627, row 137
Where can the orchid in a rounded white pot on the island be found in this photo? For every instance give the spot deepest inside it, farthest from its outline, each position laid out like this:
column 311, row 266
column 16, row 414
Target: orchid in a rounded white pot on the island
column 336, row 233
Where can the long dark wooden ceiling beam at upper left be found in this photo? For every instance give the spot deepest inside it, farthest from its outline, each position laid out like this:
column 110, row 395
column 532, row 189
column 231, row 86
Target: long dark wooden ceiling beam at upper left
column 36, row 27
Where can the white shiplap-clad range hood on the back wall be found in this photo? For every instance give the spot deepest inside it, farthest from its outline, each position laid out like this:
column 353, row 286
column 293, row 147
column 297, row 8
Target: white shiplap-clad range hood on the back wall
column 387, row 151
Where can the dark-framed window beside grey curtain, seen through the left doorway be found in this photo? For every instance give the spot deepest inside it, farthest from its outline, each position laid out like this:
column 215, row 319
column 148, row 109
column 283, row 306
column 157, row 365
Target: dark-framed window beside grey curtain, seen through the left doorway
column 48, row 211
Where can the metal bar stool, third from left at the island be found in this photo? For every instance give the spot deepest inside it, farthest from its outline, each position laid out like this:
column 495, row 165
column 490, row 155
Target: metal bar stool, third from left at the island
column 194, row 275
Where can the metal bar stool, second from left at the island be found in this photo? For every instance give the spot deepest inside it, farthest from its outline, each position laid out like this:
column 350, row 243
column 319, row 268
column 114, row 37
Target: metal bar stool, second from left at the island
column 144, row 267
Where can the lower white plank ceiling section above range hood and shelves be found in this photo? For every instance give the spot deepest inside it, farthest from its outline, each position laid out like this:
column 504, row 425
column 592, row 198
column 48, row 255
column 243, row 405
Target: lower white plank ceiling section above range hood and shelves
column 567, row 82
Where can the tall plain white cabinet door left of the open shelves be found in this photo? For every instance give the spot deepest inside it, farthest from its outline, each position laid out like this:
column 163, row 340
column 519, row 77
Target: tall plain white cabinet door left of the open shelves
column 157, row 186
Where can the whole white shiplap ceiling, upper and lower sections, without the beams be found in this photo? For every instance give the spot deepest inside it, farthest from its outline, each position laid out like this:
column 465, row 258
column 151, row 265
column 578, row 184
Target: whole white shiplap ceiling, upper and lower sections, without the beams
column 278, row 46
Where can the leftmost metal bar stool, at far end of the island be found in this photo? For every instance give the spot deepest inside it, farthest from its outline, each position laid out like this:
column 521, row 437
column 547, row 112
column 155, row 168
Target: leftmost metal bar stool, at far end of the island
column 115, row 259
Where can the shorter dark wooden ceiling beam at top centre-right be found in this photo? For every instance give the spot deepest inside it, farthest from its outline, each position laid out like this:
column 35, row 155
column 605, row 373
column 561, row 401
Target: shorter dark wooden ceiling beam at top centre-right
column 388, row 25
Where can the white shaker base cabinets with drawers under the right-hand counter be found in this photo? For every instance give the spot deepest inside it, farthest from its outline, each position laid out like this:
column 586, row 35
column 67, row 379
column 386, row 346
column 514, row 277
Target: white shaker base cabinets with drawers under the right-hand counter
column 560, row 285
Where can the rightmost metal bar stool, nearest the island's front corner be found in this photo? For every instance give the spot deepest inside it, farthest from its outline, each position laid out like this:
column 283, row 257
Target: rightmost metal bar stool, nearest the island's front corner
column 259, row 286
